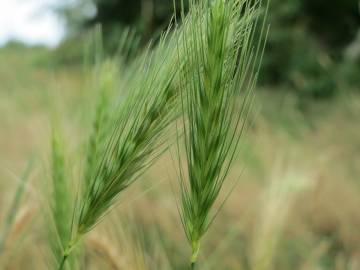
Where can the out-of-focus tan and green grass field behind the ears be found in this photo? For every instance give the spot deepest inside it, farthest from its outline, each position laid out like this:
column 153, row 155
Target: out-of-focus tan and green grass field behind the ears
column 295, row 206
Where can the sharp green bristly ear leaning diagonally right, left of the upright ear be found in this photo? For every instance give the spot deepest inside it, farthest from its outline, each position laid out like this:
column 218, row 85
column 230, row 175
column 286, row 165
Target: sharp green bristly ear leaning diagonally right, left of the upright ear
column 138, row 137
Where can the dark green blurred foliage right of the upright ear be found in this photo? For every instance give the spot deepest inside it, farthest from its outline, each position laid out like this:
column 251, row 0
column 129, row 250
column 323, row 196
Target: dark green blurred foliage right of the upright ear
column 305, row 49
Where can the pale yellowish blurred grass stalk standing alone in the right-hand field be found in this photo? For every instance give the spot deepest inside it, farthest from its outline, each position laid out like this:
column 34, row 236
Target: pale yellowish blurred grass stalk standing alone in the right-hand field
column 287, row 181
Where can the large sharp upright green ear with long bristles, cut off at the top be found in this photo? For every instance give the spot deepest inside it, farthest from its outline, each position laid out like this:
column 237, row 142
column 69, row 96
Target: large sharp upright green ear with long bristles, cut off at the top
column 218, row 80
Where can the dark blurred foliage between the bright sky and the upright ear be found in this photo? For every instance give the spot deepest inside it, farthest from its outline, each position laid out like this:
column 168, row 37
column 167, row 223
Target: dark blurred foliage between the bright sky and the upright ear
column 148, row 17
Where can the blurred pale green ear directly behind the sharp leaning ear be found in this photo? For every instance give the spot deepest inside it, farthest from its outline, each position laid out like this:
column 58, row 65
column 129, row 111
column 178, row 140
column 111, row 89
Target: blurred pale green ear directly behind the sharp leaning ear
column 107, row 76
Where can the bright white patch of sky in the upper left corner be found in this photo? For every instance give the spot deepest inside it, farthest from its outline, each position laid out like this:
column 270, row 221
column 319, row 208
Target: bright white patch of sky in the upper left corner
column 30, row 21
